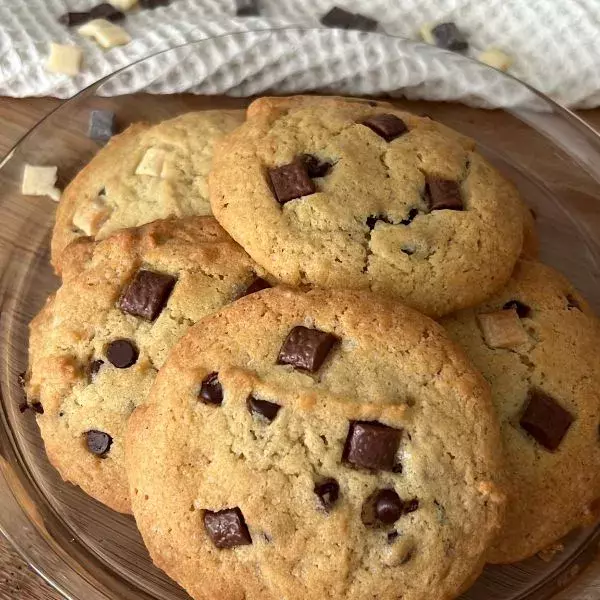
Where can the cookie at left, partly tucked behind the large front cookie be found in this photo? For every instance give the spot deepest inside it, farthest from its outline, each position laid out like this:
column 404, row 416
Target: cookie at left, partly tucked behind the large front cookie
column 96, row 346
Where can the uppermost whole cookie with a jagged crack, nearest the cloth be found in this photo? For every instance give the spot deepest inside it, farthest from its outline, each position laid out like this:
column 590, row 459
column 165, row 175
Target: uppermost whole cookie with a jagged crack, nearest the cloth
column 344, row 194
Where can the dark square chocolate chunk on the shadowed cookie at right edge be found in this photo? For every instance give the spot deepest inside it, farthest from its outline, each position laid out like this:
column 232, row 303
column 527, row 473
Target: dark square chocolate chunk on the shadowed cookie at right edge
column 545, row 420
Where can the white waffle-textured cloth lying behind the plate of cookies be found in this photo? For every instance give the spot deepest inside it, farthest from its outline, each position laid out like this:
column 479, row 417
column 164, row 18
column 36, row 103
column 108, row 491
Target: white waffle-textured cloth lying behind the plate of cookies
column 554, row 45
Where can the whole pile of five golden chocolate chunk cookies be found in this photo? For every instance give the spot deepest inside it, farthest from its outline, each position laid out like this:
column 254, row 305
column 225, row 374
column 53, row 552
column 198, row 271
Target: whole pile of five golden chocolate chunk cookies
column 266, row 389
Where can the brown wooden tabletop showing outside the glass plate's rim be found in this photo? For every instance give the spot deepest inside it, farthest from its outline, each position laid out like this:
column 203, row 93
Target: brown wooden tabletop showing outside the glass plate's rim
column 17, row 581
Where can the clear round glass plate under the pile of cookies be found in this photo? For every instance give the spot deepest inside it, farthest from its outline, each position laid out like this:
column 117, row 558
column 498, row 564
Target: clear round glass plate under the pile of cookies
column 83, row 549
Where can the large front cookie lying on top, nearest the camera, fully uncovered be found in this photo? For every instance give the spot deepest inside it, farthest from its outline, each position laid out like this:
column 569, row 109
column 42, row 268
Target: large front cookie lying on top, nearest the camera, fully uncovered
column 321, row 444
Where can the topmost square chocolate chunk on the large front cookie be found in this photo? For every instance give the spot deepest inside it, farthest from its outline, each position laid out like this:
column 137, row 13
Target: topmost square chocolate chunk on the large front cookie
column 306, row 348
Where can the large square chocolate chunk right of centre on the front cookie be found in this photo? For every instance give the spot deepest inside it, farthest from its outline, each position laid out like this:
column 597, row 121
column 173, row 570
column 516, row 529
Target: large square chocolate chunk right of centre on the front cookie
column 372, row 445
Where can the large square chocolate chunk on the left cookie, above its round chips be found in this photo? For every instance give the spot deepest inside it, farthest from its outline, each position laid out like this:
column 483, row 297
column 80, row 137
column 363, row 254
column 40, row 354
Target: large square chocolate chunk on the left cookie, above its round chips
column 147, row 294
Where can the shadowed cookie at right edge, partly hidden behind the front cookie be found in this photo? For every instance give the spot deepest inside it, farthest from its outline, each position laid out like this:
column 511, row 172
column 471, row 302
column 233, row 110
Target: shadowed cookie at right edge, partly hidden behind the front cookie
column 538, row 344
